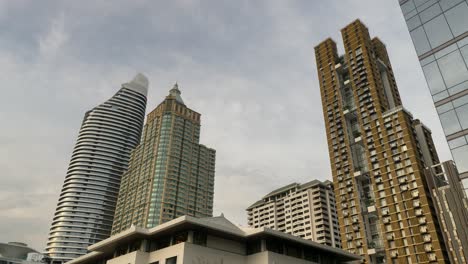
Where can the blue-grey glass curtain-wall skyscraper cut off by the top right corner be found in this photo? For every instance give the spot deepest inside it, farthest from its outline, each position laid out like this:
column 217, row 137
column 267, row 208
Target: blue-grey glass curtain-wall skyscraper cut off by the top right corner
column 439, row 29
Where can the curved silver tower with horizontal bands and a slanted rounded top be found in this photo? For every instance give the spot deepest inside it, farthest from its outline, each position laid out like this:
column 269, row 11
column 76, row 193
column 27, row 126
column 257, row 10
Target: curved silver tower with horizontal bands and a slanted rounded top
column 86, row 206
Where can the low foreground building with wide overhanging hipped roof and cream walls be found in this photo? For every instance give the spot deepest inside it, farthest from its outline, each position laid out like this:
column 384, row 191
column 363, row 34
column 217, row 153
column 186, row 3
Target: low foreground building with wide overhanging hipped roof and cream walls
column 214, row 240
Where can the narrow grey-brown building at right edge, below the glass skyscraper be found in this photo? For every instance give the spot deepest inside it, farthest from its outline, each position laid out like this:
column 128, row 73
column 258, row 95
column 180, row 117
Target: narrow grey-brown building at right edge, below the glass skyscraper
column 452, row 208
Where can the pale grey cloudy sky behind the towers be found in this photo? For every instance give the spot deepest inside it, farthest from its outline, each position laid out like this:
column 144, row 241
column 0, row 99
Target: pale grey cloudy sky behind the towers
column 247, row 66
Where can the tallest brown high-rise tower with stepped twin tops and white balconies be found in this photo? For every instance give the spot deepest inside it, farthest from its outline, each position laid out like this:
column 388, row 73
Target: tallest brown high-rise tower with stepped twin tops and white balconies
column 378, row 154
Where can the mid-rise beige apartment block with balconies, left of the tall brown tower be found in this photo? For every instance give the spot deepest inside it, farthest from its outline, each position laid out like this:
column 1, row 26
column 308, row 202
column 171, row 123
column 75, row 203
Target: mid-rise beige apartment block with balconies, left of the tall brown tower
column 304, row 210
